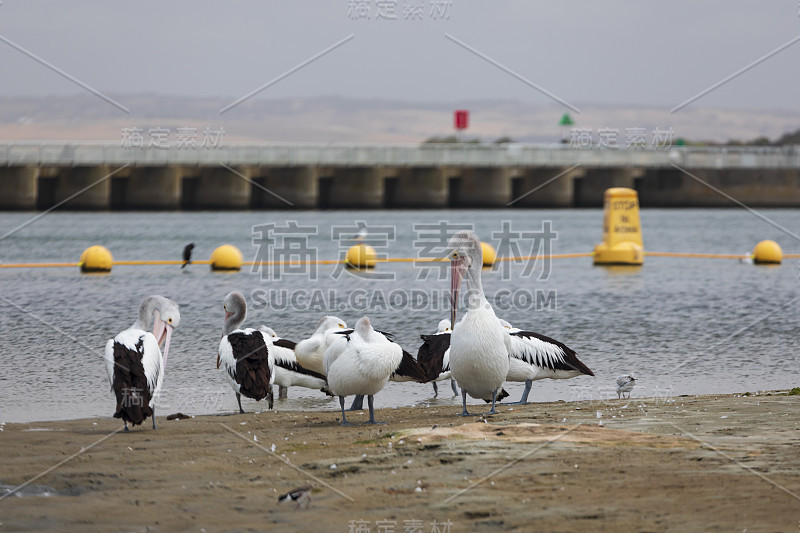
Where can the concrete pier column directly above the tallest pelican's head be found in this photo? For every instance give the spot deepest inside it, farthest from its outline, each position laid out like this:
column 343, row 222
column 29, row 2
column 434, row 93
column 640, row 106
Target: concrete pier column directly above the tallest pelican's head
column 482, row 187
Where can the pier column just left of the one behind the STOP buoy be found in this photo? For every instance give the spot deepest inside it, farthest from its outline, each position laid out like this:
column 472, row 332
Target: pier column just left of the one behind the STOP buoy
column 546, row 187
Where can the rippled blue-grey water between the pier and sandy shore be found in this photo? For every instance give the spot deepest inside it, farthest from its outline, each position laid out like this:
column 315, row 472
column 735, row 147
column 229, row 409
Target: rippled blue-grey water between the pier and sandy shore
column 685, row 326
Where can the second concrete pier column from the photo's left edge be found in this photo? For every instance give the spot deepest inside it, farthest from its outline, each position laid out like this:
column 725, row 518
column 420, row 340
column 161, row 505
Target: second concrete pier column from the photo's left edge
column 85, row 187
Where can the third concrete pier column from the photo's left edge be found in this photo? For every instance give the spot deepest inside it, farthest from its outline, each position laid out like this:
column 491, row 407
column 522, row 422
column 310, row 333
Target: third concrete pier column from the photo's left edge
column 153, row 188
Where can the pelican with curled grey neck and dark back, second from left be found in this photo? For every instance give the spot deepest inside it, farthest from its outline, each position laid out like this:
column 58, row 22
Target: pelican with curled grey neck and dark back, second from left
column 246, row 353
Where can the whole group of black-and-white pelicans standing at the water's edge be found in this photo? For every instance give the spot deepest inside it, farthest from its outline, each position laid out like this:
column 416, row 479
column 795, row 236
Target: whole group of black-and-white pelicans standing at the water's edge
column 478, row 354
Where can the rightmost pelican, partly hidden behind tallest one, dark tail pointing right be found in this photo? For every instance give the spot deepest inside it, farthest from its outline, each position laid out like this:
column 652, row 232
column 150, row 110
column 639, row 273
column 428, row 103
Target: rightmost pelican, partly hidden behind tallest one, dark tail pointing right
column 535, row 356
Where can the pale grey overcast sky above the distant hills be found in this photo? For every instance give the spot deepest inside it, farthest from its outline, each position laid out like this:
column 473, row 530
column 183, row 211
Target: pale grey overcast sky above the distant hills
column 616, row 52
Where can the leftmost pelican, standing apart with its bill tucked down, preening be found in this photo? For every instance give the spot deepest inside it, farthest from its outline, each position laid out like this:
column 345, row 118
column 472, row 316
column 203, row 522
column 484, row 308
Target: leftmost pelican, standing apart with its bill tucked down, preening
column 134, row 363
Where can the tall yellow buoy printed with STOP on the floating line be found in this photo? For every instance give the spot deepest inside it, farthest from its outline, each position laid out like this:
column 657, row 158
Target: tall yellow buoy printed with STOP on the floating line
column 622, row 230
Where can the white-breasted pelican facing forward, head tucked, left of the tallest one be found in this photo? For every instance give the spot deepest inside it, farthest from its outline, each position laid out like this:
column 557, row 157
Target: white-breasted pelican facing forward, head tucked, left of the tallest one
column 361, row 362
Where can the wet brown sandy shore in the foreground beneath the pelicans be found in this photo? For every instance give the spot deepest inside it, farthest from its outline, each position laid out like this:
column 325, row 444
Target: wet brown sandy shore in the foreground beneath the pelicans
column 712, row 463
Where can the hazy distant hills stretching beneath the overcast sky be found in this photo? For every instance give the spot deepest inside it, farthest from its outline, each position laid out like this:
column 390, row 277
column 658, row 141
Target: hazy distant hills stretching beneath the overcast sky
column 338, row 119
